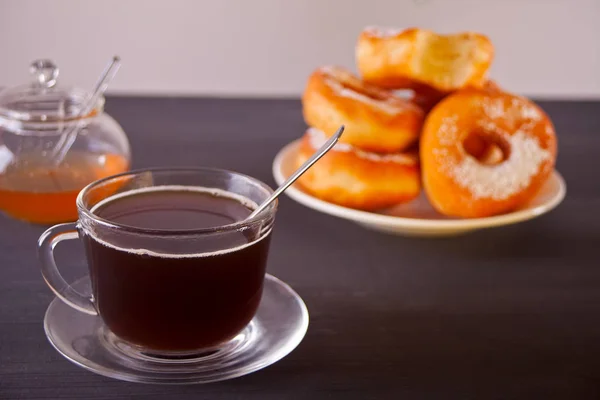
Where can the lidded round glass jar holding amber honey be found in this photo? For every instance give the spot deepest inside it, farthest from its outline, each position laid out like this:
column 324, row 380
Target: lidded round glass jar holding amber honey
column 41, row 169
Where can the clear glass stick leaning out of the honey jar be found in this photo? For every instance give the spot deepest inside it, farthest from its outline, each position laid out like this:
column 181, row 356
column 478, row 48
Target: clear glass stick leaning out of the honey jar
column 68, row 138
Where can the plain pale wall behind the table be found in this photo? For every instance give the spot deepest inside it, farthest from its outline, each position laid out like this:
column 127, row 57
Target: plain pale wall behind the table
column 544, row 48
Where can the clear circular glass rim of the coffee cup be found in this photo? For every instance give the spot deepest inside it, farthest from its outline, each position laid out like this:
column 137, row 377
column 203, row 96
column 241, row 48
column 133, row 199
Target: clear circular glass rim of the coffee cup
column 235, row 226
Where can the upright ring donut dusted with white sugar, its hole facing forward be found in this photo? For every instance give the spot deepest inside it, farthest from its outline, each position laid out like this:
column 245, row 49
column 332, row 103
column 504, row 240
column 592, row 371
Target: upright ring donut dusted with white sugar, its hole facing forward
column 485, row 152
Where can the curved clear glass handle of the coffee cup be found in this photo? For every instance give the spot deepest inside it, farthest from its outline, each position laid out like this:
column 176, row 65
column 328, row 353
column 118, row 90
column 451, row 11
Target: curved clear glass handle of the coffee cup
column 46, row 244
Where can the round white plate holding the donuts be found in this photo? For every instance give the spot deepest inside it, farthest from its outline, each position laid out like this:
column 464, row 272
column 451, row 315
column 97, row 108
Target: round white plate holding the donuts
column 417, row 218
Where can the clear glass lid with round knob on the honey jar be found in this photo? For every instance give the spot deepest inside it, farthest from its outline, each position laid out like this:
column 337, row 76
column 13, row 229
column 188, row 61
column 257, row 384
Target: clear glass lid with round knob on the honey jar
column 44, row 100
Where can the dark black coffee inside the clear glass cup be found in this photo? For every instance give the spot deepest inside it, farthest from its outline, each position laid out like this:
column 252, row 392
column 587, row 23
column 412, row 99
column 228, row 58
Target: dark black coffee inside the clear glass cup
column 173, row 300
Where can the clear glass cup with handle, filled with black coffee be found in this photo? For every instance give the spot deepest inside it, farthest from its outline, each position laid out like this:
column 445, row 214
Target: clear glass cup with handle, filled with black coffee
column 169, row 290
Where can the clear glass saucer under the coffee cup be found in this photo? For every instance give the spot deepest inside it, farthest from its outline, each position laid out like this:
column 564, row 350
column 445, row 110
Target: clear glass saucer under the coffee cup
column 278, row 327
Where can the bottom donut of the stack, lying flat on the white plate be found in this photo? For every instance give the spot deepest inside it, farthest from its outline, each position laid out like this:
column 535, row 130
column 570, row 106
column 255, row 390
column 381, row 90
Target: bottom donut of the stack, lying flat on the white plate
column 358, row 179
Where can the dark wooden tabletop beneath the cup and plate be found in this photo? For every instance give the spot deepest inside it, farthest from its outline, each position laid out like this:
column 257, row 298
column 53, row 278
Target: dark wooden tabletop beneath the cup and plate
column 507, row 313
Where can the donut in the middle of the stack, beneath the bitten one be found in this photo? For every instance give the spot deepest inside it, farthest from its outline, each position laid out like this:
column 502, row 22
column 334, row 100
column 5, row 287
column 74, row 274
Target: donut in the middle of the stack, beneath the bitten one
column 375, row 119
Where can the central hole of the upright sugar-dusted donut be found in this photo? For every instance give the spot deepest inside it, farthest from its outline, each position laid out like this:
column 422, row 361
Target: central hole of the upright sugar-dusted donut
column 488, row 148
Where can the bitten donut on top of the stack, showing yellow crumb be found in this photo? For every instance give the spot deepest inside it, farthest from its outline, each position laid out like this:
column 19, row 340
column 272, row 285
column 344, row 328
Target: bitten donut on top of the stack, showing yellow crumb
column 394, row 59
